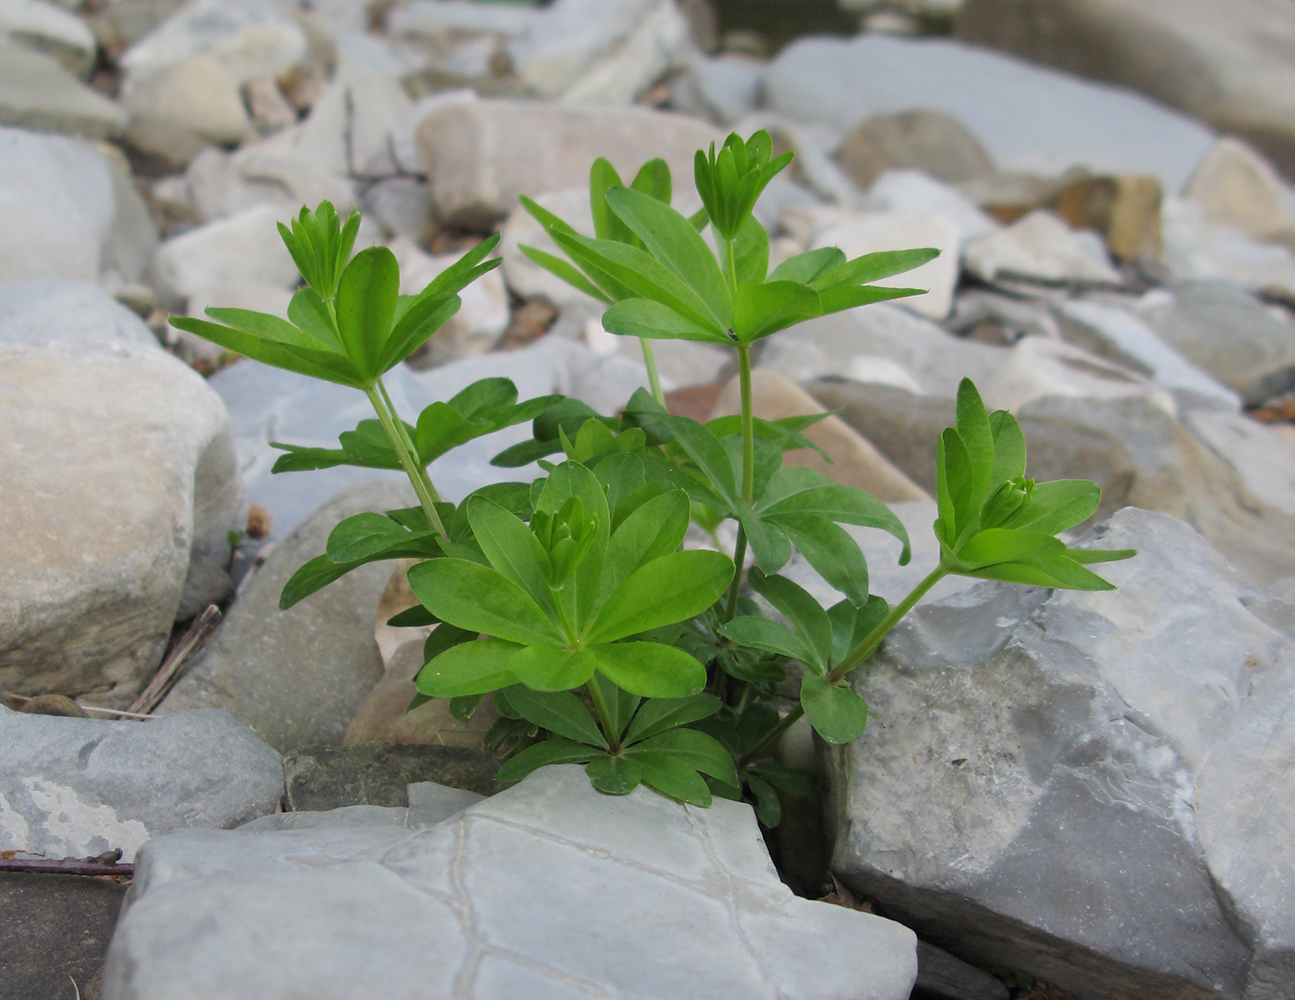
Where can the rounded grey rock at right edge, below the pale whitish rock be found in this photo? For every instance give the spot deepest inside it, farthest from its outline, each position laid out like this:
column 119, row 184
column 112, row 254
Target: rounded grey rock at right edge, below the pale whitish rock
column 1227, row 334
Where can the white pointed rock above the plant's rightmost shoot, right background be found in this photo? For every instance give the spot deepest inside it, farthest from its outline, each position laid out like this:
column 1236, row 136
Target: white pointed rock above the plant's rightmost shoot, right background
column 1038, row 367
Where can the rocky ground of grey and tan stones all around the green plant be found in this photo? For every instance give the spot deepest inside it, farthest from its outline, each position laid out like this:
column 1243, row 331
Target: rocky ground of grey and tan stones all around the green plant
column 1087, row 796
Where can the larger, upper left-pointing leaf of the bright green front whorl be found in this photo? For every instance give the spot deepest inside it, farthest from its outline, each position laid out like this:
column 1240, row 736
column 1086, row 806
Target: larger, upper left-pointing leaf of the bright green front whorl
column 481, row 599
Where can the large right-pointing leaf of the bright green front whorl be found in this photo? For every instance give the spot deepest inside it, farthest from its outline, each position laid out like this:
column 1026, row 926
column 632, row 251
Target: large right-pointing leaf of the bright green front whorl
column 662, row 593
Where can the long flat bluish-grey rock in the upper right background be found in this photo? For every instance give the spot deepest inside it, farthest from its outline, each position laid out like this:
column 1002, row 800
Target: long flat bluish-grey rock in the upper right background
column 1028, row 119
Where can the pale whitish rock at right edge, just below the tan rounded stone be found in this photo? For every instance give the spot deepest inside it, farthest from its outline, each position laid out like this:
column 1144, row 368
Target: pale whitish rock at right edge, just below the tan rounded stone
column 1197, row 251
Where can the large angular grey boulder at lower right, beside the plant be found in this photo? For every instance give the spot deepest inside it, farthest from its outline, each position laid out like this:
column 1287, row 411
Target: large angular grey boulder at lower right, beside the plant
column 1098, row 784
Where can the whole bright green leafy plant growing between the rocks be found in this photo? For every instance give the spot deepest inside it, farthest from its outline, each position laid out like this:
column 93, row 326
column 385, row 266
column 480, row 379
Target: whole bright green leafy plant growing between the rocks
column 569, row 599
